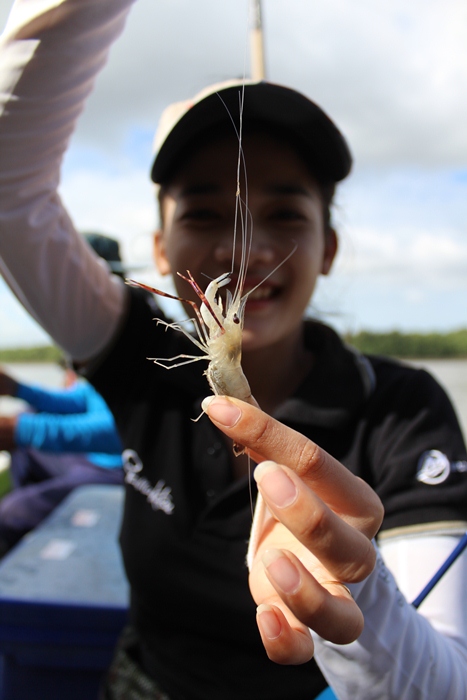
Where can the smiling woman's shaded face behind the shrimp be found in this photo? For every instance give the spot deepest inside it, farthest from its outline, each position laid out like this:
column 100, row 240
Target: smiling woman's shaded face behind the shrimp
column 286, row 214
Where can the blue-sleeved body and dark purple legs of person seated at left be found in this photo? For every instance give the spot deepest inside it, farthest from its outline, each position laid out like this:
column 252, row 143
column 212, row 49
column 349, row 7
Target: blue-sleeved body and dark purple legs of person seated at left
column 67, row 439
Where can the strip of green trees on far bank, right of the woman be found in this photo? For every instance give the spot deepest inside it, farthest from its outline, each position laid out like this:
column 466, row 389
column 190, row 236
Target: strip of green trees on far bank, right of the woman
column 411, row 345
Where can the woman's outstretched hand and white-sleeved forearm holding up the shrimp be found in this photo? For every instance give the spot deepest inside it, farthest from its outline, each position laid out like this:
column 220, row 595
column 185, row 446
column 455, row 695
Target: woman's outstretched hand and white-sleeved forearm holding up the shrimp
column 315, row 537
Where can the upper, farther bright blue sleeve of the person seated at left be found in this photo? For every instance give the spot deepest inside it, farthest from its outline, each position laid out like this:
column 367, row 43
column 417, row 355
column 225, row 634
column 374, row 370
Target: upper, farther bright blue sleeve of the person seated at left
column 71, row 400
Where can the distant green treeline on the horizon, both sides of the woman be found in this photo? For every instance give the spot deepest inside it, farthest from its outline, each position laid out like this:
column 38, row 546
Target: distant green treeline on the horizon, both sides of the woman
column 394, row 344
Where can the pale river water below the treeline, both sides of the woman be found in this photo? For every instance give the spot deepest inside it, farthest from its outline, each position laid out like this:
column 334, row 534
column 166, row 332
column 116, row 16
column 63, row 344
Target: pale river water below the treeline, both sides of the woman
column 452, row 374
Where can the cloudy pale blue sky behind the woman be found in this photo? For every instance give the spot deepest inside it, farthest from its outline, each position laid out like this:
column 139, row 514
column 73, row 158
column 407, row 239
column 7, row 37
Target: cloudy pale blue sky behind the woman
column 393, row 76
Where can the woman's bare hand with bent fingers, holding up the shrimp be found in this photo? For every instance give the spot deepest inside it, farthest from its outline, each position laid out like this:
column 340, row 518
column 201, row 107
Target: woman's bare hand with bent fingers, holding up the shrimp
column 315, row 536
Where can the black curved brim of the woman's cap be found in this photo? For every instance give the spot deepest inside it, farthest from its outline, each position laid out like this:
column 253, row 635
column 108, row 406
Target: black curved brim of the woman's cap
column 282, row 108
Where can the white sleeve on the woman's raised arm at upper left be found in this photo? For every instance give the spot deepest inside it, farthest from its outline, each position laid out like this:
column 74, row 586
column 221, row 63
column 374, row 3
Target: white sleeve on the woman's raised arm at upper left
column 50, row 53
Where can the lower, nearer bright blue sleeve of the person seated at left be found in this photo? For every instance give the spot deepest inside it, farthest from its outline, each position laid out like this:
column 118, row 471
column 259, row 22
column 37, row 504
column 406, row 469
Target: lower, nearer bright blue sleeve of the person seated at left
column 93, row 430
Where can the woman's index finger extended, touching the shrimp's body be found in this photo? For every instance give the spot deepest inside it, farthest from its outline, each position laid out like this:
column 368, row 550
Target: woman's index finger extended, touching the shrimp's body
column 268, row 439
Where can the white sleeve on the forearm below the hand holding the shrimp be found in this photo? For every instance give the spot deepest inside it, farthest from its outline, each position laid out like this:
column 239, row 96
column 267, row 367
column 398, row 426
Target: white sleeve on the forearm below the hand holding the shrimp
column 402, row 653
